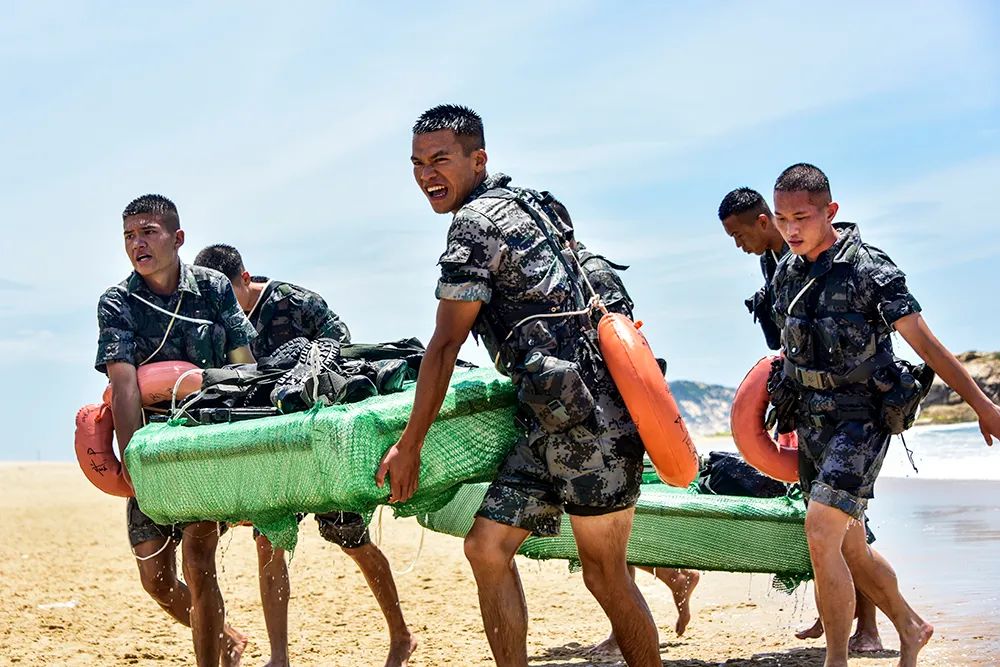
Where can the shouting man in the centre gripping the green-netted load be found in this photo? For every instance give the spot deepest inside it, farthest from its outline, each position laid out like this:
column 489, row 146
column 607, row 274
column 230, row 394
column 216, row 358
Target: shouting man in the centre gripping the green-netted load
column 506, row 277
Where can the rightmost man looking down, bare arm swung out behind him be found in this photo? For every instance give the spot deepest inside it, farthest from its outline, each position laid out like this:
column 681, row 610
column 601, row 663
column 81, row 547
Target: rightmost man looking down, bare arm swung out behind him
column 837, row 300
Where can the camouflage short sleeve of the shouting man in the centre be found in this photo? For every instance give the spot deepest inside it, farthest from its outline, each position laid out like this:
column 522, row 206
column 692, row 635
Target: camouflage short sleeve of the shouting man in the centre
column 470, row 259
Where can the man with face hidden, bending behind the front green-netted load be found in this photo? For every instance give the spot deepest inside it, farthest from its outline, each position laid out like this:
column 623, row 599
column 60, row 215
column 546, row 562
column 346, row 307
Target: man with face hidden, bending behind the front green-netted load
column 279, row 312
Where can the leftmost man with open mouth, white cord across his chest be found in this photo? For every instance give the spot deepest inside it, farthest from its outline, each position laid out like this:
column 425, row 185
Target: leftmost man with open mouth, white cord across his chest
column 167, row 310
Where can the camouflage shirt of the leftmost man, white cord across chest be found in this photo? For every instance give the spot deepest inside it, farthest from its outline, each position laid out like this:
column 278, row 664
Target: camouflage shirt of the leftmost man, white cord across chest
column 130, row 330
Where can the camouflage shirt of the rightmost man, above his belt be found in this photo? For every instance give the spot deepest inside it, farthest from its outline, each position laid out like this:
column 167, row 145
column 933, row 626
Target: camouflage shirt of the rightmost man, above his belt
column 838, row 311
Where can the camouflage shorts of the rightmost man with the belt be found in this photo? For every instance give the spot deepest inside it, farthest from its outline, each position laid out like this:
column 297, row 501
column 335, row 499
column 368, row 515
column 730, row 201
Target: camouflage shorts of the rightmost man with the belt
column 841, row 472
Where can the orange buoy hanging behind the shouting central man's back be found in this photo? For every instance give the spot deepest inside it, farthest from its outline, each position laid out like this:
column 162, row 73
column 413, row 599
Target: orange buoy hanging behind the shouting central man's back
column 648, row 399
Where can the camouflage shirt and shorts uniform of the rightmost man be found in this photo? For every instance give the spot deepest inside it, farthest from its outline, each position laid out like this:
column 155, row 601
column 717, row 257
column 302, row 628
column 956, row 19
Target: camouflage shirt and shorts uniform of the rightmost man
column 834, row 331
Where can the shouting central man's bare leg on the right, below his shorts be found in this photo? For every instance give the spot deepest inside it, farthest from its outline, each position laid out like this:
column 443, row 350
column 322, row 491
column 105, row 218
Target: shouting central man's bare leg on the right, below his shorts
column 601, row 542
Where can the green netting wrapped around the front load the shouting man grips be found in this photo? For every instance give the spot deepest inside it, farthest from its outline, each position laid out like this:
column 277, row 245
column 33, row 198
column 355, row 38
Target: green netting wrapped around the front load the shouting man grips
column 266, row 470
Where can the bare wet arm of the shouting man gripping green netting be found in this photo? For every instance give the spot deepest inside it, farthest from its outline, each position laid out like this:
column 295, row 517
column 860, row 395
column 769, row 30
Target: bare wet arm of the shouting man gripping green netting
column 402, row 461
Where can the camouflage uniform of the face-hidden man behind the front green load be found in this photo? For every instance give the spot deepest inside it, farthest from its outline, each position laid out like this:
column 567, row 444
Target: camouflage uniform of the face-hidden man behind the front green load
column 283, row 312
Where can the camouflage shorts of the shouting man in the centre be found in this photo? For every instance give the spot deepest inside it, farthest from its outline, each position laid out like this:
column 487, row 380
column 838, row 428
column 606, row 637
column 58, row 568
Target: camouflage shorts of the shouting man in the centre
column 545, row 474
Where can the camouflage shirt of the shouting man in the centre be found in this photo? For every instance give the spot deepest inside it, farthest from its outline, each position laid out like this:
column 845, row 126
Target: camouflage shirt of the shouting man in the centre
column 498, row 254
